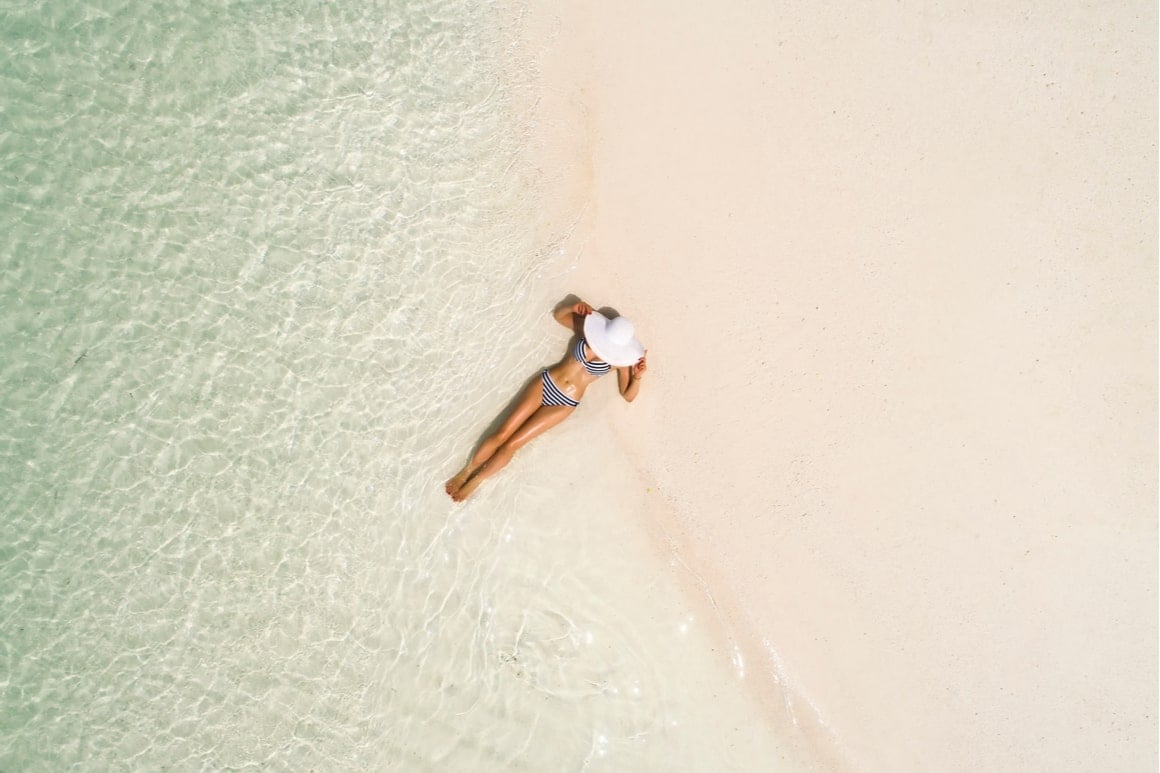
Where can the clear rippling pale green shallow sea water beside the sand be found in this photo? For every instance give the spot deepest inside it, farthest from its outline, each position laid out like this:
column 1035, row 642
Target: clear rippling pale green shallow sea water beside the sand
column 267, row 276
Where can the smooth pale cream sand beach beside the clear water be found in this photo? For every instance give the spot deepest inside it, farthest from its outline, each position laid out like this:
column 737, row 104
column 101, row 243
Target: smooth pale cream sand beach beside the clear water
column 896, row 268
